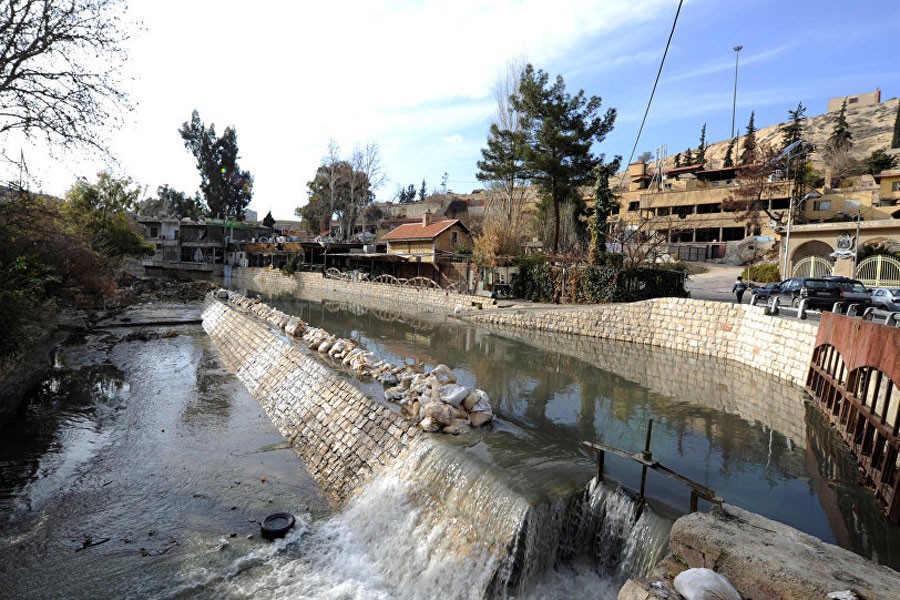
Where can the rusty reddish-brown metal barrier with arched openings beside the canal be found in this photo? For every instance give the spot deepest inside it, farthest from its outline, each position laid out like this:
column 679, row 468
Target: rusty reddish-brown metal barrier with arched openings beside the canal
column 853, row 378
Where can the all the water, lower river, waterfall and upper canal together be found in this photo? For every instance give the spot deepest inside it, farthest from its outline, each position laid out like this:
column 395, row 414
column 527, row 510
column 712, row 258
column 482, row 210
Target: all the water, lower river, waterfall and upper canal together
column 138, row 468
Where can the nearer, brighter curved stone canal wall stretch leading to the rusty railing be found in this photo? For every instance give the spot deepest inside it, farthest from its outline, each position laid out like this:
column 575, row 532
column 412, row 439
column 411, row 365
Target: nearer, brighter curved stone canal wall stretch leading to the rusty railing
column 781, row 347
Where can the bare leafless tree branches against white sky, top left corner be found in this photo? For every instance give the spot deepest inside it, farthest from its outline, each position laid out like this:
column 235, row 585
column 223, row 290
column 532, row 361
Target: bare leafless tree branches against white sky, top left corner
column 59, row 69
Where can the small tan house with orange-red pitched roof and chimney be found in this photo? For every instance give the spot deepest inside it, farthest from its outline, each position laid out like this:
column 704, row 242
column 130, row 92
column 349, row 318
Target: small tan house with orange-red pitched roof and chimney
column 428, row 241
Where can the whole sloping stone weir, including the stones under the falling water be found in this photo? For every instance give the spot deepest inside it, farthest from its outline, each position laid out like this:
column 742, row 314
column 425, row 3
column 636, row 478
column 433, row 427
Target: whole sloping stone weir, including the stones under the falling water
column 346, row 439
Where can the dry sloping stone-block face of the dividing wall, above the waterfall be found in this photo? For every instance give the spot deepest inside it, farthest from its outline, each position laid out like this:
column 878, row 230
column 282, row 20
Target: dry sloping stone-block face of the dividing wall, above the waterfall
column 343, row 436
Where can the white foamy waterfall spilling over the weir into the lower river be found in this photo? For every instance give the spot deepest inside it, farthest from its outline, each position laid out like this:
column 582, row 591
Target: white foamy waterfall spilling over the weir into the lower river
column 413, row 535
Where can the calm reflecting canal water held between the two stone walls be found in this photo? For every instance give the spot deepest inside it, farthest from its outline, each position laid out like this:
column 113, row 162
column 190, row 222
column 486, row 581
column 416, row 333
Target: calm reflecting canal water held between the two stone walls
column 740, row 432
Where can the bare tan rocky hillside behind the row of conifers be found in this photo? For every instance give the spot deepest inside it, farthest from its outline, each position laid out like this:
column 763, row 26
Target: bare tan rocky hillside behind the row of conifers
column 871, row 127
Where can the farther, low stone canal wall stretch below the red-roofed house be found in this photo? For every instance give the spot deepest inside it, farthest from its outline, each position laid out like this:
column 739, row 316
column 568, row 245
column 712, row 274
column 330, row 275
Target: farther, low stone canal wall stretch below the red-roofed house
column 374, row 295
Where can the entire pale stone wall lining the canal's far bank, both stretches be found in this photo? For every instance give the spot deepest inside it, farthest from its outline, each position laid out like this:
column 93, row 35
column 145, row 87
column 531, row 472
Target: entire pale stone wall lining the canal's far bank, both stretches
column 742, row 333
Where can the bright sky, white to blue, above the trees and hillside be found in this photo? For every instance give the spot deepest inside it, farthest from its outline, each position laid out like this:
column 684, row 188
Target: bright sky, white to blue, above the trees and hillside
column 416, row 77
